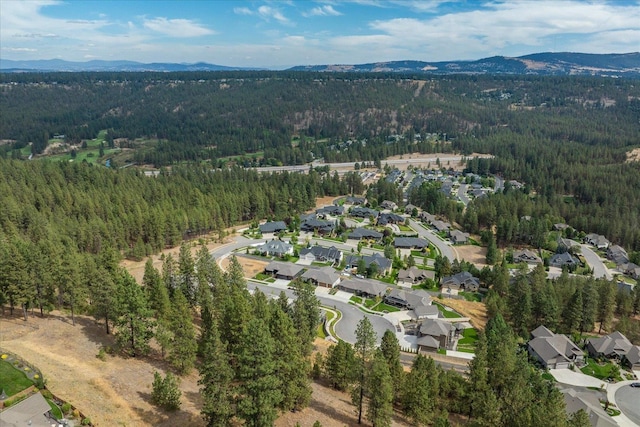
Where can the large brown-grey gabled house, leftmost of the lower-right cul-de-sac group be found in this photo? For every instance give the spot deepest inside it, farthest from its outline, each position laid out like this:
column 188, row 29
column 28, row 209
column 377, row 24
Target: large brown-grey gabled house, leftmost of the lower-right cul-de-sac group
column 553, row 351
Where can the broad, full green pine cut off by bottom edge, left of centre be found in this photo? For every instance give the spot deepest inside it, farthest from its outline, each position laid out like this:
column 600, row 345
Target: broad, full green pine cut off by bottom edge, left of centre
column 259, row 390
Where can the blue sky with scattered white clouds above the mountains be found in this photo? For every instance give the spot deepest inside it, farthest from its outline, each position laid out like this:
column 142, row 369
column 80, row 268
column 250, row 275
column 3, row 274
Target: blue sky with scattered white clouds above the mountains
column 279, row 34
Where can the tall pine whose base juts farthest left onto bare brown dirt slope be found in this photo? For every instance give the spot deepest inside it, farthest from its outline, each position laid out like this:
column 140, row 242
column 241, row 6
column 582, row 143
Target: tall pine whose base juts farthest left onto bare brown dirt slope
column 134, row 325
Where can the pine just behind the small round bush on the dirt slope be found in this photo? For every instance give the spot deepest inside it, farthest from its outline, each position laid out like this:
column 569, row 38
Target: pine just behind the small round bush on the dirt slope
column 183, row 348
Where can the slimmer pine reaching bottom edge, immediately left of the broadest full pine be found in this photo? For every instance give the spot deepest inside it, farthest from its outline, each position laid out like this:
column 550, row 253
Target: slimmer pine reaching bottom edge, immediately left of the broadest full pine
column 216, row 379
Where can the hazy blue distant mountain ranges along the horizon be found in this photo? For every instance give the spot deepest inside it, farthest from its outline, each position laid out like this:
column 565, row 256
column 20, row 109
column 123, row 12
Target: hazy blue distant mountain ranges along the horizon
column 563, row 63
